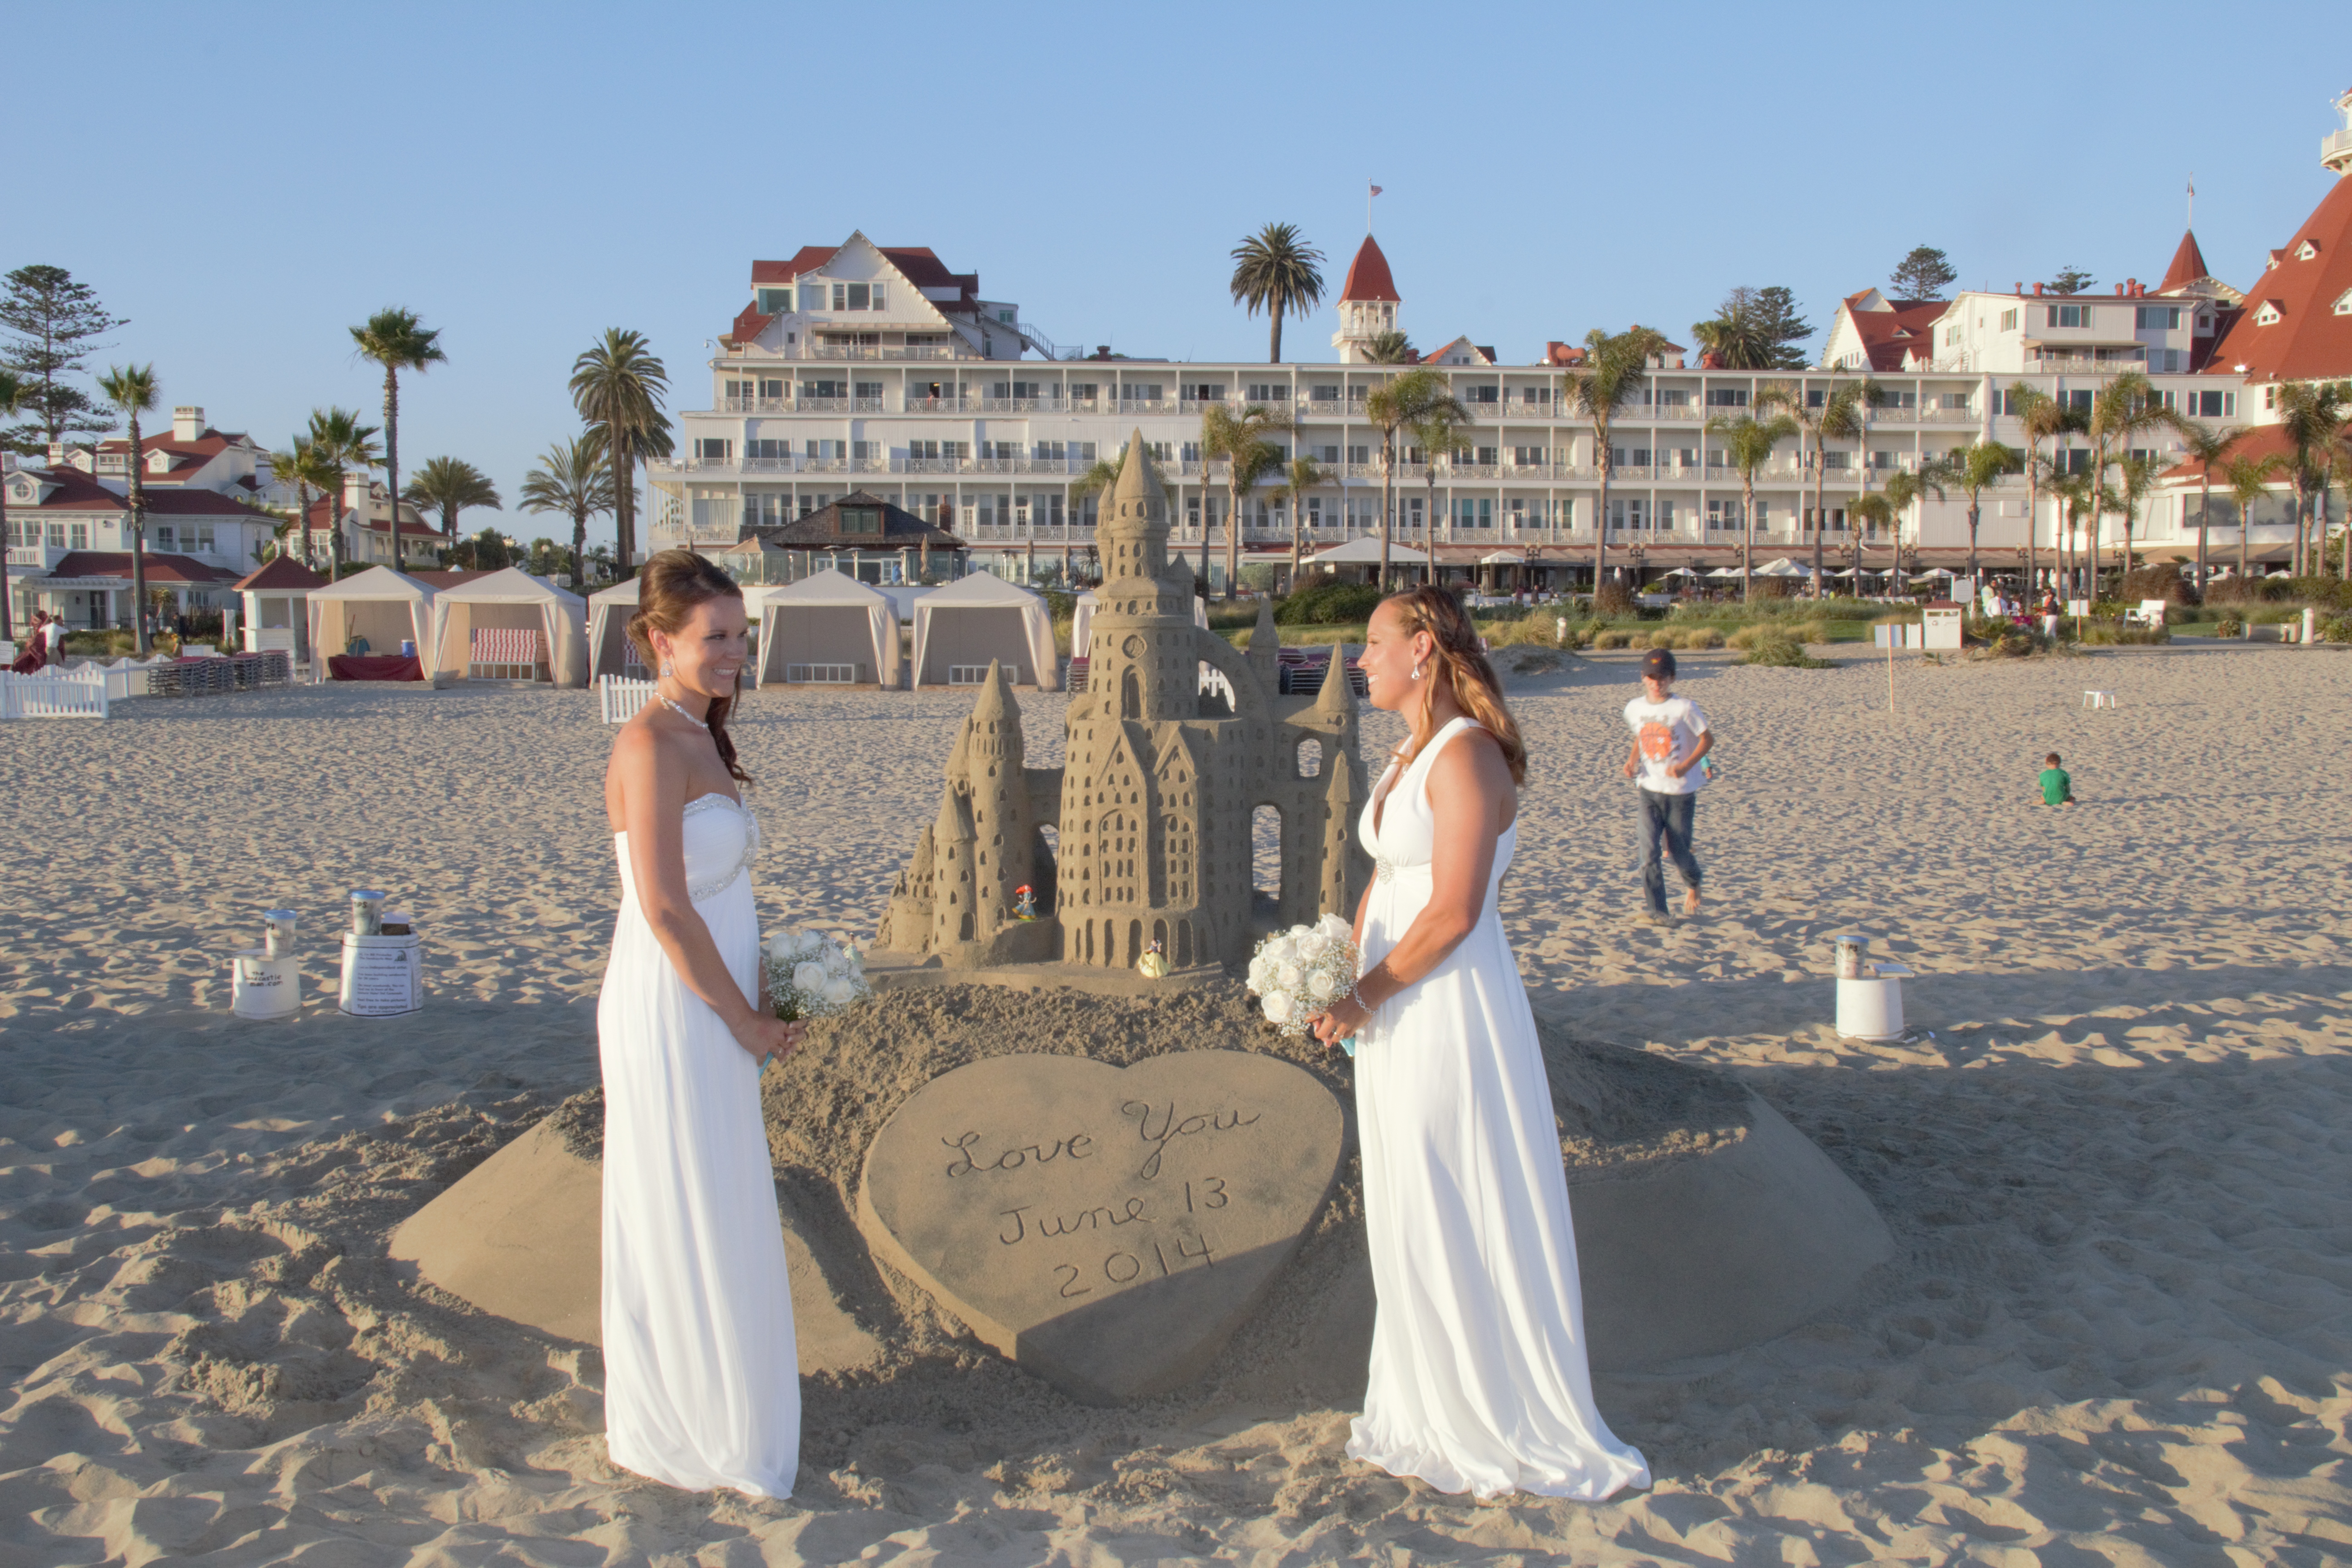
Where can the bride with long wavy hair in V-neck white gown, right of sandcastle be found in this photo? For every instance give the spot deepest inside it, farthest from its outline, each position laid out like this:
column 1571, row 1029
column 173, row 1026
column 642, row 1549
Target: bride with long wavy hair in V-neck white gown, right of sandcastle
column 1478, row 1351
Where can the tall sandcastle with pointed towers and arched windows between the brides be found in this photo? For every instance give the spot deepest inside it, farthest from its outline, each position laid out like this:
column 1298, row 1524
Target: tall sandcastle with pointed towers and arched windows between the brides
column 1156, row 798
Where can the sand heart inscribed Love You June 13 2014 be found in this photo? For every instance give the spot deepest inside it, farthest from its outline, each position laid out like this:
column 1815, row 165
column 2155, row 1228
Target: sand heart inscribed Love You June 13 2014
column 1107, row 1228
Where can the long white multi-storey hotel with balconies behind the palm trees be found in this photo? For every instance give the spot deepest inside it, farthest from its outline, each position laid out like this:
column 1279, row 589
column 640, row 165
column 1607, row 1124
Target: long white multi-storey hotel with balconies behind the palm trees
column 876, row 370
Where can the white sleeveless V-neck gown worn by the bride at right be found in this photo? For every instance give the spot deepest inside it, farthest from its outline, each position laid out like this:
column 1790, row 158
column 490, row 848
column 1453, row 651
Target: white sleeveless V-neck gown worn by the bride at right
column 1478, row 1346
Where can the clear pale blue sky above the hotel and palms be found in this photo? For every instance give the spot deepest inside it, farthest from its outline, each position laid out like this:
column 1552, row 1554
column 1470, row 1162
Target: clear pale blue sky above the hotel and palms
column 243, row 182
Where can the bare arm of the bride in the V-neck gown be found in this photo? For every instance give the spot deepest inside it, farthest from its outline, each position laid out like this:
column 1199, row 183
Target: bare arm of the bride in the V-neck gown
column 1474, row 800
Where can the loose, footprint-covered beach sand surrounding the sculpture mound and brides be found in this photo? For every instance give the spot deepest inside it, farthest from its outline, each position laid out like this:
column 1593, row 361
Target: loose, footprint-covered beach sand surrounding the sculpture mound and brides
column 2118, row 1172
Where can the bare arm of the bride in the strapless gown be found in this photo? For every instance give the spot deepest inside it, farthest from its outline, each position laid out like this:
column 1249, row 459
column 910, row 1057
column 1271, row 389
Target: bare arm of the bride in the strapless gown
column 653, row 810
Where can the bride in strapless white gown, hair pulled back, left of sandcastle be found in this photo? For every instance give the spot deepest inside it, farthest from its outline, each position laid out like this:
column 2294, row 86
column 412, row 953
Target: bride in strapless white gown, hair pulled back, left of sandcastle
column 702, row 1379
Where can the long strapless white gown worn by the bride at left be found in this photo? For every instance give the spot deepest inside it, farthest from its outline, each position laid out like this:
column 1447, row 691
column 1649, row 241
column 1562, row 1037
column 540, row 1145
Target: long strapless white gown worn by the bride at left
column 702, row 1381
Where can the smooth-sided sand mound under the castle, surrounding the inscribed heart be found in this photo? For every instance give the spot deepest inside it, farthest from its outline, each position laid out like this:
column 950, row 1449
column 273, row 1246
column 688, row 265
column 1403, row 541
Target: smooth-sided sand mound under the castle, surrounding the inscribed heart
column 1704, row 1219
